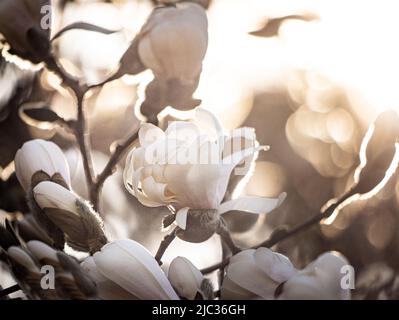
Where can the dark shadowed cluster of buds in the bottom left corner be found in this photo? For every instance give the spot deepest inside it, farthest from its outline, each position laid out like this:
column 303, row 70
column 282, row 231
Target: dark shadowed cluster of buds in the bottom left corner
column 42, row 272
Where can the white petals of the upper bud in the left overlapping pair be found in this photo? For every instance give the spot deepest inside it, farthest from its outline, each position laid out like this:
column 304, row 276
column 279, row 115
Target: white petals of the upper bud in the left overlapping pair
column 40, row 155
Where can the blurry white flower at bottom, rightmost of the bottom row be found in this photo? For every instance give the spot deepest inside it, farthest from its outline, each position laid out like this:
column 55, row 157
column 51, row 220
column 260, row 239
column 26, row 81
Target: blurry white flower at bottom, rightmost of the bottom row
column 320, row 280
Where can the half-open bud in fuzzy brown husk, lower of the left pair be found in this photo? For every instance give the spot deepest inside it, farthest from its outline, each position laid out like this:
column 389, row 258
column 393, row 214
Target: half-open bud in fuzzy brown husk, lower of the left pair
column 82, row 226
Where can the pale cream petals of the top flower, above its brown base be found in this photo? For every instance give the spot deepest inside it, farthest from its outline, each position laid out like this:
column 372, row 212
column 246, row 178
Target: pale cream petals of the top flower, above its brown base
column 173, row 42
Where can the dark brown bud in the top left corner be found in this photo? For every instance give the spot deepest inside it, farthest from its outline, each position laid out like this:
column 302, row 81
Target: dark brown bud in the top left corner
column 26, row 28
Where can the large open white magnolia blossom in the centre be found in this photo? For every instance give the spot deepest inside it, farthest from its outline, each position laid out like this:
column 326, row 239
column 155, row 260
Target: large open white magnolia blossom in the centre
column 190, row 165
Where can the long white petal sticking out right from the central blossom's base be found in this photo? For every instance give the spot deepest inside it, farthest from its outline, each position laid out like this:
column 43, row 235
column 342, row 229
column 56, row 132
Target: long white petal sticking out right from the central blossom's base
column 256, row 205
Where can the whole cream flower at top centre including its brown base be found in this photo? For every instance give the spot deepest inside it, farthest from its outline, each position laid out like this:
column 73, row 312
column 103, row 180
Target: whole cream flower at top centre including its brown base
column 173, row 44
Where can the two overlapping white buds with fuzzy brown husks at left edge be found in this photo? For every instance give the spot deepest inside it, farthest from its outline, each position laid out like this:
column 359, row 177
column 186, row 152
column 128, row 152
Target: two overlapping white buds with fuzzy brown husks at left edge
column 43, row 172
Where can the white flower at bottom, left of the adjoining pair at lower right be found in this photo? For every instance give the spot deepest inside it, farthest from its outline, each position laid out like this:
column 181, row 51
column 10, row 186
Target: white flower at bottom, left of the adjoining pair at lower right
column 255, row 274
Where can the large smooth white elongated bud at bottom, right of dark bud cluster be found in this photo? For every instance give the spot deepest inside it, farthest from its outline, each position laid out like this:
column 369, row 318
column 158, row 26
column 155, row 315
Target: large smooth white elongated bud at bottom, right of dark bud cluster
column 132, row 267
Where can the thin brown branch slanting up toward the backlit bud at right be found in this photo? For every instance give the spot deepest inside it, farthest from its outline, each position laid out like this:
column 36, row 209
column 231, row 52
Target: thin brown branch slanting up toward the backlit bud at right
column 283, row 234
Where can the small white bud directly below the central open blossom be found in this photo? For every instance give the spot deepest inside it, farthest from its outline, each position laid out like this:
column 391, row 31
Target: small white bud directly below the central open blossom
column 185, row 278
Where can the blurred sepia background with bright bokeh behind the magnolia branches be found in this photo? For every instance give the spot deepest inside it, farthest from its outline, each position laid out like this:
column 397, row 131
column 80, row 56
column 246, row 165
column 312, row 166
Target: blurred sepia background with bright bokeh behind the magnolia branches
column 310, row 84
